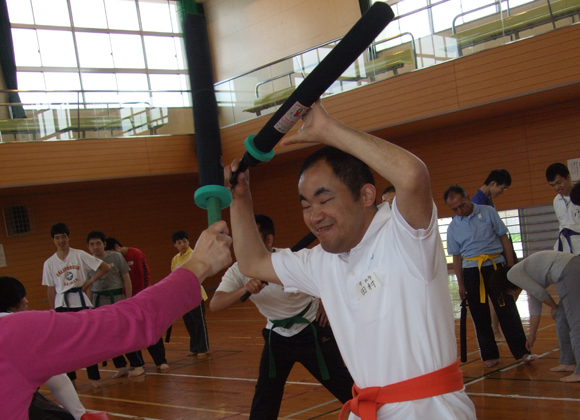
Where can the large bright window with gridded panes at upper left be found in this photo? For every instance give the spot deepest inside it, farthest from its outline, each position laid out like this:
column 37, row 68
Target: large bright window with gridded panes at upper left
column 99, row 45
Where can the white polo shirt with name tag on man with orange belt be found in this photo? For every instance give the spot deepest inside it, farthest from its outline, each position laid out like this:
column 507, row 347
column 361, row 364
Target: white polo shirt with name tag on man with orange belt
column 389, row 303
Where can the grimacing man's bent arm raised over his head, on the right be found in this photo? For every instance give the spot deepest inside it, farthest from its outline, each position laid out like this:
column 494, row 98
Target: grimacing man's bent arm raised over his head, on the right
column 404, row 170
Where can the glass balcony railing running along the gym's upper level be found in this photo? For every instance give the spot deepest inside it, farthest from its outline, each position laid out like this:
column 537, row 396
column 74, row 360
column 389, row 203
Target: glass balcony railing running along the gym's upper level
column 421, row 38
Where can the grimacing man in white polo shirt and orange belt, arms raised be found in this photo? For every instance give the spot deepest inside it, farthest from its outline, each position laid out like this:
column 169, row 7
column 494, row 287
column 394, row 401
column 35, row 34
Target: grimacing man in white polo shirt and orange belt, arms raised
column 381, row 275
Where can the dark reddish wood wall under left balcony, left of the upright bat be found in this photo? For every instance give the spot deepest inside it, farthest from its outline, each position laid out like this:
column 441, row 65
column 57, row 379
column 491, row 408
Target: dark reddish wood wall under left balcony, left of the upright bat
column 141, row 213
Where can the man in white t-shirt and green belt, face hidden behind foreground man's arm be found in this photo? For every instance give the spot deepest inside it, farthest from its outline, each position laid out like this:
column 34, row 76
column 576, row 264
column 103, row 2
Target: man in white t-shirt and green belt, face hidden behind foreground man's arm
column 297, row 331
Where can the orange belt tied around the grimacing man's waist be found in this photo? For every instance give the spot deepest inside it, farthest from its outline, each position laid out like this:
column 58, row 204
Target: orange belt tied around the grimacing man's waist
column 366, row 402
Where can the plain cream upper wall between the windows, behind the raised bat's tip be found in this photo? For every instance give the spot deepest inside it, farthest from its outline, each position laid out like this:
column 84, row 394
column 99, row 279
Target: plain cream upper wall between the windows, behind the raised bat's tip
column 271, row 29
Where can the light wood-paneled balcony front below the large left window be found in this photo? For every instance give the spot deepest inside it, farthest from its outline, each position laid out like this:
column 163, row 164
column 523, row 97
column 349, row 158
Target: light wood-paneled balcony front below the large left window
column 48, row 162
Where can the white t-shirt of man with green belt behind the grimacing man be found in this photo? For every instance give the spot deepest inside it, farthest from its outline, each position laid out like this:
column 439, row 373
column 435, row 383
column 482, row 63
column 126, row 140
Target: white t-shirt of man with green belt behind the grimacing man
column 273, row 302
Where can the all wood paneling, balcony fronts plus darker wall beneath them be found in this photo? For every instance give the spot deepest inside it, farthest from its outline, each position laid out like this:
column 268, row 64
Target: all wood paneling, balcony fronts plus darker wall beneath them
column 514, row 107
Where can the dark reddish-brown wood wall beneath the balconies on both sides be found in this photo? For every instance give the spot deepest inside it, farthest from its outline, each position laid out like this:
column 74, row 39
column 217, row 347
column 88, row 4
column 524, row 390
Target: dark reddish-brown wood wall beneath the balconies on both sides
column 142, row 212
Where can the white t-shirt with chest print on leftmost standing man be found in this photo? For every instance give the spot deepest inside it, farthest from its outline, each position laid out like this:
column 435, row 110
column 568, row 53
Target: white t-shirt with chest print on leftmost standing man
column 68, row 274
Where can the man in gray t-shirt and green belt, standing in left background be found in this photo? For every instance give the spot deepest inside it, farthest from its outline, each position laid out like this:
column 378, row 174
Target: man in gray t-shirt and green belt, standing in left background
column 114, row 286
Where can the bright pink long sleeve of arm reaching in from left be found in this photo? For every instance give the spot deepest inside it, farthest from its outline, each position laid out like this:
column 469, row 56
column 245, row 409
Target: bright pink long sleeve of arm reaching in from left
column 41, row 344
